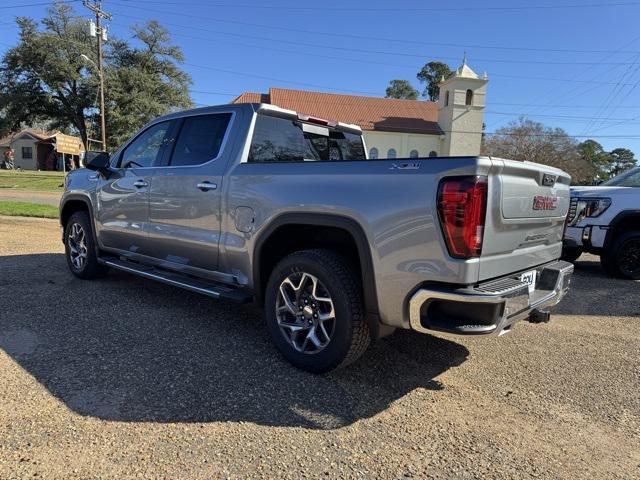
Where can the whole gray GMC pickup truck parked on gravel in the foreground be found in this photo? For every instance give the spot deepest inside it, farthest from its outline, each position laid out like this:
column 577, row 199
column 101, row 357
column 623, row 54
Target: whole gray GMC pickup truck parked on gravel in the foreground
column 256, row 203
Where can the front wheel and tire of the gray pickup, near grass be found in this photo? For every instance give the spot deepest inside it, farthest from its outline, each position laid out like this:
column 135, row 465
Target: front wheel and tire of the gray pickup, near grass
column 79, row 244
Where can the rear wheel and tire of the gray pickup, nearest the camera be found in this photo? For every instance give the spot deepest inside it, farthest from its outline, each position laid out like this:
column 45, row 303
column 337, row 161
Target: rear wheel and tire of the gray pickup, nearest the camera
column 304, row 339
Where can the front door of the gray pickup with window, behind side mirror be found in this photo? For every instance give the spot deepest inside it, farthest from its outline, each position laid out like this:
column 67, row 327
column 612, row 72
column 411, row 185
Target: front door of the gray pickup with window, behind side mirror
column 123, row 197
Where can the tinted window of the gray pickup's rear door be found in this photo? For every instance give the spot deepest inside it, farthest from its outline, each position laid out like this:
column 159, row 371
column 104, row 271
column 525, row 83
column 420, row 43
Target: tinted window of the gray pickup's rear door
column 200, row 139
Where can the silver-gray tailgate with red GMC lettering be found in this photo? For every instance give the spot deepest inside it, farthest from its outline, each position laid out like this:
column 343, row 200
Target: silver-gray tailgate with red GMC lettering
column 526, row 209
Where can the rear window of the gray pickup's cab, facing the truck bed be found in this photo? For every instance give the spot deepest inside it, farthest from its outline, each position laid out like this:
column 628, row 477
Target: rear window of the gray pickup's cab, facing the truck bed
column 283, row 140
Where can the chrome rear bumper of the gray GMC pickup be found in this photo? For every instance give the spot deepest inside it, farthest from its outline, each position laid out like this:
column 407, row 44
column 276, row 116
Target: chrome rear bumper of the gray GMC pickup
column 491, row 307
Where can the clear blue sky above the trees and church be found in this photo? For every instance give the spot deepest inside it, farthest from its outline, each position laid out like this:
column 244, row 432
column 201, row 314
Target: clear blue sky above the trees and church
column 577, row 67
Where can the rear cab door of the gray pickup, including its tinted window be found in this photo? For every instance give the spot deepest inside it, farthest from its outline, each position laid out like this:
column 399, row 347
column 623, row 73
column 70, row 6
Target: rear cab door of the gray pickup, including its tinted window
column 185, row 195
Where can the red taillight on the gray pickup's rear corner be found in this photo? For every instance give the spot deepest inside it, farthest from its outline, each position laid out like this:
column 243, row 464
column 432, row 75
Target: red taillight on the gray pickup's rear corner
column 462, row 207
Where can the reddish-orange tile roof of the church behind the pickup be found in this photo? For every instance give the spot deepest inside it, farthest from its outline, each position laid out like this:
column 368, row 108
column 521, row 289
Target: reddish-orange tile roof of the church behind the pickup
column 370, row 113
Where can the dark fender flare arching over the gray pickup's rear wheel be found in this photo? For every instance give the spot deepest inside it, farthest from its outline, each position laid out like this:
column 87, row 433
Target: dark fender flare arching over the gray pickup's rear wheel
column 323, row 220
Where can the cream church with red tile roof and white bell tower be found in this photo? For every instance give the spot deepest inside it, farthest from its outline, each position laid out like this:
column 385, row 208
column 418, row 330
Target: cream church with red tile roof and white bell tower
column 394, row 128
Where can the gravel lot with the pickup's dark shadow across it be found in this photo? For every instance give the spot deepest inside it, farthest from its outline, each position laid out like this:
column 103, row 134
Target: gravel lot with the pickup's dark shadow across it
column 122, row 378
